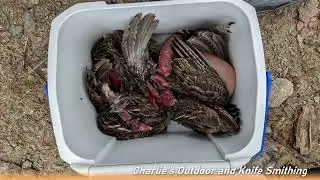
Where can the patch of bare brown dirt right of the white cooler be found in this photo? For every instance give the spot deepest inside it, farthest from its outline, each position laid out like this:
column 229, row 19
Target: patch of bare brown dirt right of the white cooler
column 291, row 38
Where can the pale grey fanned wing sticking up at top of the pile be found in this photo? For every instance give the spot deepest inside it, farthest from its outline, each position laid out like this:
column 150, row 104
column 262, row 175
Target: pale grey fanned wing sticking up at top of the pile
column 135, row 40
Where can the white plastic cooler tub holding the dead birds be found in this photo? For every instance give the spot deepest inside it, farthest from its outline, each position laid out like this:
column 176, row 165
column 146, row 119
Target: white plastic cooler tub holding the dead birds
column 79, row 141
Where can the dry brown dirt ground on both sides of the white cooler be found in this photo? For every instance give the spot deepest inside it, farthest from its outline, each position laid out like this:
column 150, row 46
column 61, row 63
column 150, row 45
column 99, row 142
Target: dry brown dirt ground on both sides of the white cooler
column 291, row 38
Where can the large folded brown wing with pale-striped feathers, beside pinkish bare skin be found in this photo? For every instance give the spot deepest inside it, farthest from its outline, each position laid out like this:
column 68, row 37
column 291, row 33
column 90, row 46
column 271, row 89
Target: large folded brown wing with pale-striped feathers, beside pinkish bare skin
column 193, row 75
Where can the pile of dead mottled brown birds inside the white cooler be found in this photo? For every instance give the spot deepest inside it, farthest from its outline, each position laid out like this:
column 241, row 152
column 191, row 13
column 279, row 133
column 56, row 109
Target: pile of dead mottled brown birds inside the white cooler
column 138, row 85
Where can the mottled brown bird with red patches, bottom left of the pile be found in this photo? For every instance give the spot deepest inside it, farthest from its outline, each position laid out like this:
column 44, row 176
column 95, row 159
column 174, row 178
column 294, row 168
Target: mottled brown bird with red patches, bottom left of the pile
column 130, row 116
